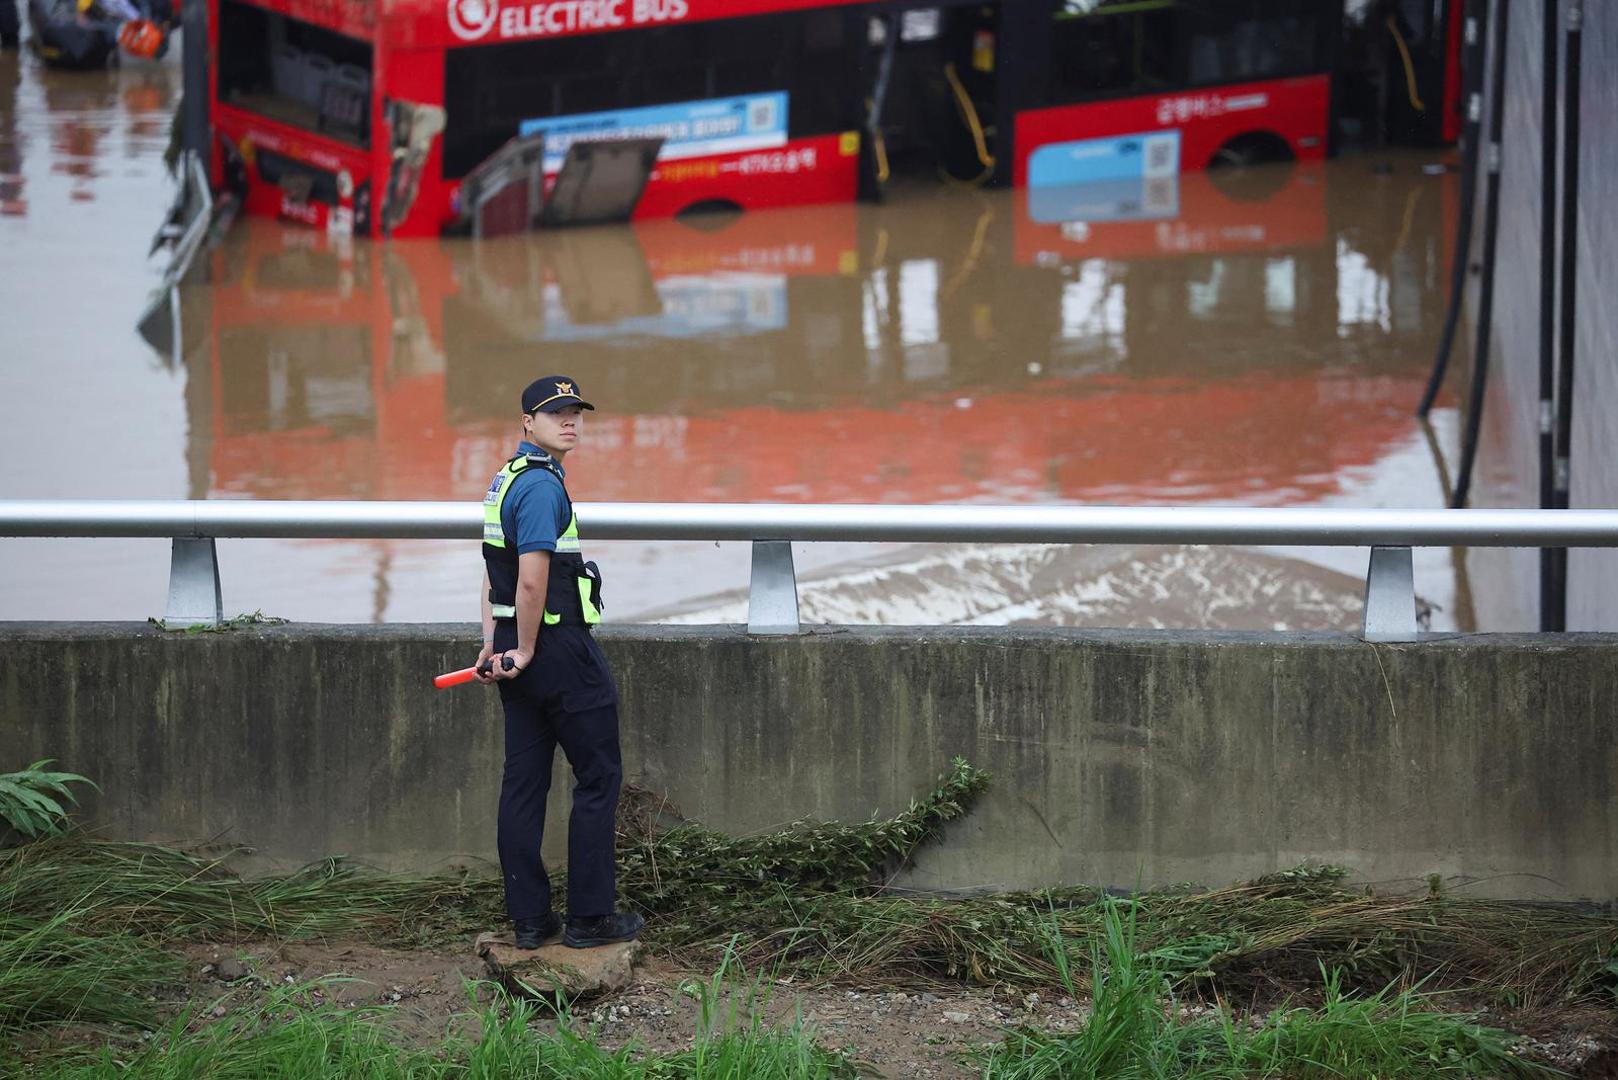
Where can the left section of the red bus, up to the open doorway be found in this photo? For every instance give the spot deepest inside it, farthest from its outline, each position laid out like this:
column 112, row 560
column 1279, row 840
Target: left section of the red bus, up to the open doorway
column 365, row 117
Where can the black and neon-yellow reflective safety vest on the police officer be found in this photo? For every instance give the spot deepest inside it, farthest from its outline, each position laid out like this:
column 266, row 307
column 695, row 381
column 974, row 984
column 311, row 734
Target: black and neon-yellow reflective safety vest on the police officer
column 574, row 595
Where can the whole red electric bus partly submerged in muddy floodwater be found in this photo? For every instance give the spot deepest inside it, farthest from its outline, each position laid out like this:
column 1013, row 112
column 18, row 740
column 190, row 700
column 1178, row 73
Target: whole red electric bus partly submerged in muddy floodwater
column 371, row 119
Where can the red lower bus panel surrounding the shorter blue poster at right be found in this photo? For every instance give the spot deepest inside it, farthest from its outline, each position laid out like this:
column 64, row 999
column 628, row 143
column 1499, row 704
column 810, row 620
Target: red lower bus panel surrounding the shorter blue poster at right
column 1297, row 111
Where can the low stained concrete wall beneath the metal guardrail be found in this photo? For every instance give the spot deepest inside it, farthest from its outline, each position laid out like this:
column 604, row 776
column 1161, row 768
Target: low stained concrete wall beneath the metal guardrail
column 1120, row 757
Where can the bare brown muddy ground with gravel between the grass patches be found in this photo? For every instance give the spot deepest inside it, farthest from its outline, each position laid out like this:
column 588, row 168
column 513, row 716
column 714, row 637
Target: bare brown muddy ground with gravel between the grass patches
column 887, row 1032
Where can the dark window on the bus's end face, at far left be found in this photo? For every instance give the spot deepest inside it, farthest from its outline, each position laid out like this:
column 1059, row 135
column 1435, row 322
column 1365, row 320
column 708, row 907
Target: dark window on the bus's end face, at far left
column 294, row 72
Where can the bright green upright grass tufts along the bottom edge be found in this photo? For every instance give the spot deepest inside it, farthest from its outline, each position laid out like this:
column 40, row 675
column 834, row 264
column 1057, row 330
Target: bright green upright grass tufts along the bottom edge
column 1135, row 1032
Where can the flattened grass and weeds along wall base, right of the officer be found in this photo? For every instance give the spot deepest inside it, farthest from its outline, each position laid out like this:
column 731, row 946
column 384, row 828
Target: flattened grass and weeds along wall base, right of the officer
column 811, row 898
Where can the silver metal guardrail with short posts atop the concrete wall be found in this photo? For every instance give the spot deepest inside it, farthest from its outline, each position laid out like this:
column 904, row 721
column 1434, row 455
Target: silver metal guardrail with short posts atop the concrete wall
column 1391, row 535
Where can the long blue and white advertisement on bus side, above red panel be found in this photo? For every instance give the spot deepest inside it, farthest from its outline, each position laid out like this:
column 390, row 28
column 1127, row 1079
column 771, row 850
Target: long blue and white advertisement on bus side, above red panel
column 716, row 125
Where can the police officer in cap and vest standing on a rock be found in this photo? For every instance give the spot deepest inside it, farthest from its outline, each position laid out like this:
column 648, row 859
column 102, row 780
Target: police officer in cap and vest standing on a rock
column 541, row 602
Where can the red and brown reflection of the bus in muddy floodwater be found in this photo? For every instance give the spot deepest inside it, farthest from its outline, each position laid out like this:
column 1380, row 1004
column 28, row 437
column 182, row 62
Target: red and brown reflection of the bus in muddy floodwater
column 826, row 354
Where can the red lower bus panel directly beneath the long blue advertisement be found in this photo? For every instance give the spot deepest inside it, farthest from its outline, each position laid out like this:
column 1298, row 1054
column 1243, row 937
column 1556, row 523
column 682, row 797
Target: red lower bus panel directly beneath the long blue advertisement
column 816, row 169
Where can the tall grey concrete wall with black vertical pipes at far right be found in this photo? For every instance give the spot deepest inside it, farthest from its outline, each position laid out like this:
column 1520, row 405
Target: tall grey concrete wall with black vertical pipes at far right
column 1509, row 459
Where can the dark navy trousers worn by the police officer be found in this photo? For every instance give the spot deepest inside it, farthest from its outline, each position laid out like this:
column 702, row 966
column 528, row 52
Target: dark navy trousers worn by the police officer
column 565, row 699
